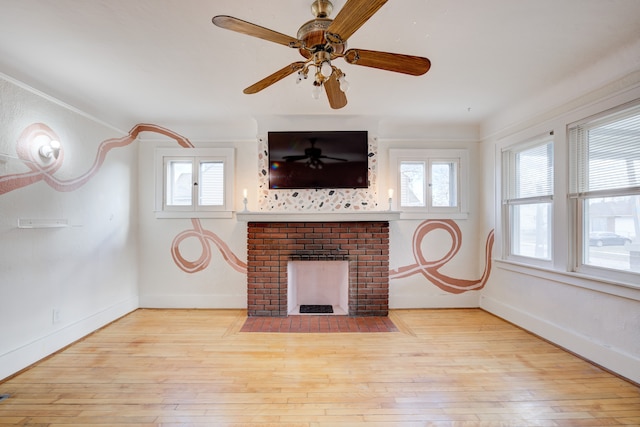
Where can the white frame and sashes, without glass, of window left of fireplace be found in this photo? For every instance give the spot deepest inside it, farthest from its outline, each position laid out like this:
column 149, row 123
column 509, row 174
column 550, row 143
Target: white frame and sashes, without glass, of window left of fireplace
column 196, row 156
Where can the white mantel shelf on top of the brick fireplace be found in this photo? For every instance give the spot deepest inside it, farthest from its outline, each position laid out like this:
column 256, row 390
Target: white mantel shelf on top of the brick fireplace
column 317, row 216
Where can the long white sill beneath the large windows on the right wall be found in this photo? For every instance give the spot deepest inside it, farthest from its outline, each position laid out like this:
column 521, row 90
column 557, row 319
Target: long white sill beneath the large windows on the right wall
column 620, row 289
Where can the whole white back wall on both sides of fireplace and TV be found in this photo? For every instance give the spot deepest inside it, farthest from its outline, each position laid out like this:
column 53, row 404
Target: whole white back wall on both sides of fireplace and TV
column 163, row 284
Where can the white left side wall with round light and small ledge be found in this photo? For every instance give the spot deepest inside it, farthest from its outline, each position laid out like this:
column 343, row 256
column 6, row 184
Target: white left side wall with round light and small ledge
column 86, row 271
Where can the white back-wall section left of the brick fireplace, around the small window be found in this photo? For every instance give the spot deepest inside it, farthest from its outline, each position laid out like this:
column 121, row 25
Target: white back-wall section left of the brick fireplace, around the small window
column 162, row 283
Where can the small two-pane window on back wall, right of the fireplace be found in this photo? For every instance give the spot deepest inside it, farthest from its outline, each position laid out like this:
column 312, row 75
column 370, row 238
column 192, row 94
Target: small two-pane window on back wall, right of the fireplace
column 429, row 181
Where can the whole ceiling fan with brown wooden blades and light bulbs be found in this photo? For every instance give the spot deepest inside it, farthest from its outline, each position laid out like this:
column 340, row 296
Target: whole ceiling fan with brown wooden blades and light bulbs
column 322, row 40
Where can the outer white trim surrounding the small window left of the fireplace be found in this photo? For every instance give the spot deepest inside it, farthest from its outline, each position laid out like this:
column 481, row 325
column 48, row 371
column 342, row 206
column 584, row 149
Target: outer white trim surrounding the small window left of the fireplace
column 226, row 155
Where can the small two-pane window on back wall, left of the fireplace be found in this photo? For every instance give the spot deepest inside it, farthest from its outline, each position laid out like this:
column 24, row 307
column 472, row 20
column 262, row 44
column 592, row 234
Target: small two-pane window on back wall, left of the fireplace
column 194, row 182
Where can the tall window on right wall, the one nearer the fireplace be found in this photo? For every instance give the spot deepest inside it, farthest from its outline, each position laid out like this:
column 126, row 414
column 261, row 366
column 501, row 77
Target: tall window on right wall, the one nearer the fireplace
column 527, row 197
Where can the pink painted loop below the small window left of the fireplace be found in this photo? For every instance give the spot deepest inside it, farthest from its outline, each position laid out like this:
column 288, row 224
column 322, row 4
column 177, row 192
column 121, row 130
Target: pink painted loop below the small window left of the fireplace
column 204, row 237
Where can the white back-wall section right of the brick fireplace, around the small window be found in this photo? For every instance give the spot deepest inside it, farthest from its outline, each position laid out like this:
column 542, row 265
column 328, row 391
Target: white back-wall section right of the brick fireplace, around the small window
column 417, row 290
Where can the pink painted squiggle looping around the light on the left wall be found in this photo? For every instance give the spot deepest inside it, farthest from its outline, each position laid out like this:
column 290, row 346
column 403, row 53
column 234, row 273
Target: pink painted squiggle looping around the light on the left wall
column 27, row 152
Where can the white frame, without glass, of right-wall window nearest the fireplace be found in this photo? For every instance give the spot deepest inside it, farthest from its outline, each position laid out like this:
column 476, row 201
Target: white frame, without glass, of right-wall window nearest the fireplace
column 509, row 201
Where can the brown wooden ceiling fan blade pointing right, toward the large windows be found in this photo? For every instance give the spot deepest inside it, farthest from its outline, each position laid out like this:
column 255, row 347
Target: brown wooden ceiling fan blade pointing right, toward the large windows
column 406, row 64
